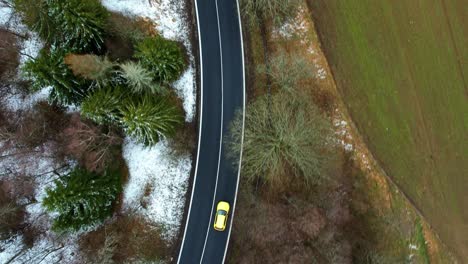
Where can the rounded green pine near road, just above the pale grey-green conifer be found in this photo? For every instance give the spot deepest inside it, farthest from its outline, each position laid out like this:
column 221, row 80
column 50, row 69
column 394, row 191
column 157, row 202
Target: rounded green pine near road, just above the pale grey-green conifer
column 164, row 58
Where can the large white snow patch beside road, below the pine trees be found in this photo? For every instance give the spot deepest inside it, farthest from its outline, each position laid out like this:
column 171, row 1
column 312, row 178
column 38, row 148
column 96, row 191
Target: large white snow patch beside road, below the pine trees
column 157, row 184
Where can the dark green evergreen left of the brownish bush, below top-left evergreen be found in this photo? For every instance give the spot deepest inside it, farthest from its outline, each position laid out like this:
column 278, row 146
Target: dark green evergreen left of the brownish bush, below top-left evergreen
column 49, row 69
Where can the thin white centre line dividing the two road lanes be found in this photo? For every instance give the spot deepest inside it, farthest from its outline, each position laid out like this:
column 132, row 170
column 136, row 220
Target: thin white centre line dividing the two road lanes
column 221, row 138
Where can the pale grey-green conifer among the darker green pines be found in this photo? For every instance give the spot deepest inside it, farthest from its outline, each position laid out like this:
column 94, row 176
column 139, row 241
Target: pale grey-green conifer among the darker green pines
column 138, row 78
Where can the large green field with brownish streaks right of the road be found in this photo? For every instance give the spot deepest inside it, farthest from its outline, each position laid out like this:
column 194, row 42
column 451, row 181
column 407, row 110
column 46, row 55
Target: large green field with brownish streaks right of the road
column 402, row 69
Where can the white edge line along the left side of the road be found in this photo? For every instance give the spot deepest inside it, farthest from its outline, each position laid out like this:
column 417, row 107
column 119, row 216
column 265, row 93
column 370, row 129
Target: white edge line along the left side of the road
column 199, row 134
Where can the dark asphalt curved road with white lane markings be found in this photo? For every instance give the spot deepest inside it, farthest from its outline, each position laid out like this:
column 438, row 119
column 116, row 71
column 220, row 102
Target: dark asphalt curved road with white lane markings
column 222, row 94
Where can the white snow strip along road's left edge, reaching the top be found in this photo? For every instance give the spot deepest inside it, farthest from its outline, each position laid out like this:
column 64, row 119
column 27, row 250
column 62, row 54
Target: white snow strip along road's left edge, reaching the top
column 170, row 22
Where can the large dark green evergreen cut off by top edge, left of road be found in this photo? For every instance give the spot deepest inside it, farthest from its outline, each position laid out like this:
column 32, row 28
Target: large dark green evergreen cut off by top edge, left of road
column 76, row 25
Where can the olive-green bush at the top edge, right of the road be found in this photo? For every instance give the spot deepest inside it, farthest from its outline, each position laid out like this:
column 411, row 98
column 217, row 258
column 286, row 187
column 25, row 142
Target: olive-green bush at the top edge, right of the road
column 277, row 10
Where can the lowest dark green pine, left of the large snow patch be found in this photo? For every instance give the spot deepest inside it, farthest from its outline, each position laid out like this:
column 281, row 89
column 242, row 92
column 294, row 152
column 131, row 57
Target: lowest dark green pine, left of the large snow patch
column 82, row 198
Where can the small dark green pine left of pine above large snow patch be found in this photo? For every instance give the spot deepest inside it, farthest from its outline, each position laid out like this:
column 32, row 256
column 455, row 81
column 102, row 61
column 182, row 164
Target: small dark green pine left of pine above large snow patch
column 102, row 105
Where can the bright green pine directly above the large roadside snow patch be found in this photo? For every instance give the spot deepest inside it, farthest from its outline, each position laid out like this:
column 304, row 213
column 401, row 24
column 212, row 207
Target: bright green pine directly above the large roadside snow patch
column 149, row 118
